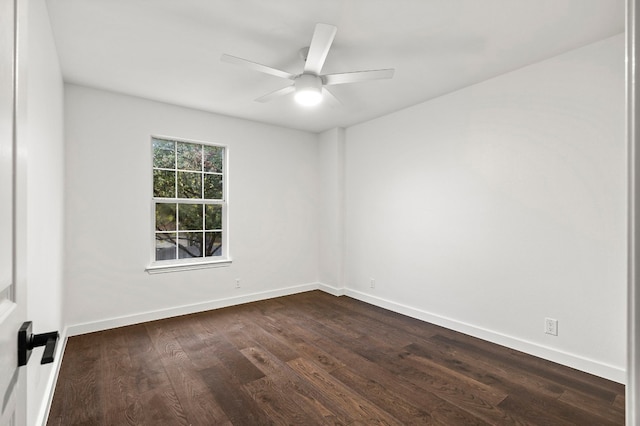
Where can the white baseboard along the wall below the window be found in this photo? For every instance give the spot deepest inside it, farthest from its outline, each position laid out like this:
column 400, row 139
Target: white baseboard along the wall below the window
column 122, row 321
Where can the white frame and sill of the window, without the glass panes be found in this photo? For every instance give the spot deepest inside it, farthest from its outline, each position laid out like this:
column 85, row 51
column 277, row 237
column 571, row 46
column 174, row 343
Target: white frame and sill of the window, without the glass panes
column 174, row 265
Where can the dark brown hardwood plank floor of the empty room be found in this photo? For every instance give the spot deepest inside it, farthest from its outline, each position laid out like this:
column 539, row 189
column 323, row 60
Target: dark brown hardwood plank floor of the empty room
column 313, row 359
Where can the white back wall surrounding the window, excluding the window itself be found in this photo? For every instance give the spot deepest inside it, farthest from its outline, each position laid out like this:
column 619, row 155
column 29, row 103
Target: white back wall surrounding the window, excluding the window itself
column 273, row 202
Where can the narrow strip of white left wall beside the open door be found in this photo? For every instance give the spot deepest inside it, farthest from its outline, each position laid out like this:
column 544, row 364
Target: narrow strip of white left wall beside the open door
column 45, row 195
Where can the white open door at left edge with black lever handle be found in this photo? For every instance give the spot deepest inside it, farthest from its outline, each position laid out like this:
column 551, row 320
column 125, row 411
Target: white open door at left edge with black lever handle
column 12, row 291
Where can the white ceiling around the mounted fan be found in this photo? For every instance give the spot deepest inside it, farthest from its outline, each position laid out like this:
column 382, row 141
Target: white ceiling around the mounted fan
column 169, row 50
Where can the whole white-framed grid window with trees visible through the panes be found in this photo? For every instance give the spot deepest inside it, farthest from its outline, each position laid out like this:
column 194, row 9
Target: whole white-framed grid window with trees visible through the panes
column 189, row 203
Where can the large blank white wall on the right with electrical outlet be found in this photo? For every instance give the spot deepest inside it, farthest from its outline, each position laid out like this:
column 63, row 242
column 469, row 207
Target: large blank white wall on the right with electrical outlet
column 491, row 208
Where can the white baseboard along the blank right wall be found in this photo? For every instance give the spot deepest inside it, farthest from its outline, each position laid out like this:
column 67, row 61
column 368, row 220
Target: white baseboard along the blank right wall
column 597, row 368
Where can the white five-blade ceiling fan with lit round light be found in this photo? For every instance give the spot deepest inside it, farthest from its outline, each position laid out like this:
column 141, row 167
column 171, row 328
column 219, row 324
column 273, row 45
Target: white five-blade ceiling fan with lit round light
column 309, row 86
